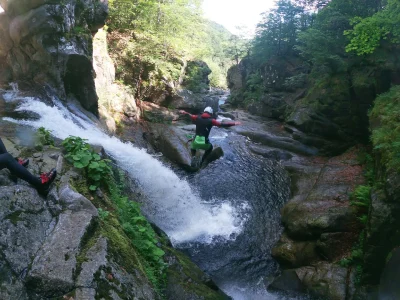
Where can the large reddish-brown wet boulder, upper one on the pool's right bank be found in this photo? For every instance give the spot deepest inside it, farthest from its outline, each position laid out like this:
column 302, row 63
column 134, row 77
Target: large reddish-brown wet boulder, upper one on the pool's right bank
column 320, row 203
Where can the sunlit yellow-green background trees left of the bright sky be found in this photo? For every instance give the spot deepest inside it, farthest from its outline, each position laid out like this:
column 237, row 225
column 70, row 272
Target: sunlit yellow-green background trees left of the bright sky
column 158, row 36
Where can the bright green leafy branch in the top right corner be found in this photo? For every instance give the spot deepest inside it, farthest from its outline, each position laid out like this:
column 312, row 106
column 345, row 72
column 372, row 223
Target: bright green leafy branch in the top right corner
column 368, row 33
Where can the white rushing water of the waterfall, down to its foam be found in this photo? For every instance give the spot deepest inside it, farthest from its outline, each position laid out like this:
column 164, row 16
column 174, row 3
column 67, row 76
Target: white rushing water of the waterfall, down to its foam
column 176, row 207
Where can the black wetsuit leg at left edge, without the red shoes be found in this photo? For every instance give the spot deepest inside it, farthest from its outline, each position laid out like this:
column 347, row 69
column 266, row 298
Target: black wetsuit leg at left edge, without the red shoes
column 9, row 162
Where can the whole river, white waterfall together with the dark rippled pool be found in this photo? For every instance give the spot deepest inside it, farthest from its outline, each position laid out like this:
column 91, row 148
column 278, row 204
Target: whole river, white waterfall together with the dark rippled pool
column 225, row 217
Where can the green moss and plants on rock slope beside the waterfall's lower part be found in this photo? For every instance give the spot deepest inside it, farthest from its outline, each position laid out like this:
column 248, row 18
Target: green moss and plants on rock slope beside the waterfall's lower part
column 132, row 242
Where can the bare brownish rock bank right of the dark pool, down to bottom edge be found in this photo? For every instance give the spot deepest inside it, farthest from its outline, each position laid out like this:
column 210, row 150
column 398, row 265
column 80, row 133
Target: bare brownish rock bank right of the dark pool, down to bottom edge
column 320, row 226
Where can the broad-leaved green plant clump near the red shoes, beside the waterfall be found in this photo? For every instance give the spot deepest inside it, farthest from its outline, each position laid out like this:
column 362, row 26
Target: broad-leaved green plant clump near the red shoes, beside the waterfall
column 82, row 156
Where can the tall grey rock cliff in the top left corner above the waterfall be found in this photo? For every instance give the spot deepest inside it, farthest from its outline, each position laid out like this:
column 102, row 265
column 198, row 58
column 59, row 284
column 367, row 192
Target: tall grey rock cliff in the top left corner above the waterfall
column 51, row 43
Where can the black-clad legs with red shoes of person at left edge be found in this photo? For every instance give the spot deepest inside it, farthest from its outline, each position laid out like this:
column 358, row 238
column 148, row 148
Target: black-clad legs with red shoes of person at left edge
column 18, row 166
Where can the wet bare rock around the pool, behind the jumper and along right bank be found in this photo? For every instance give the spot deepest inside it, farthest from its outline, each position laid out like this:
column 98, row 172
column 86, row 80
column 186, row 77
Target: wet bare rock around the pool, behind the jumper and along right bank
column 320, row 225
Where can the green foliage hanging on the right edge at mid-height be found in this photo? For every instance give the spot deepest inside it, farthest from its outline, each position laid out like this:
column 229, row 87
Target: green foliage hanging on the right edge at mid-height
column 385, row 126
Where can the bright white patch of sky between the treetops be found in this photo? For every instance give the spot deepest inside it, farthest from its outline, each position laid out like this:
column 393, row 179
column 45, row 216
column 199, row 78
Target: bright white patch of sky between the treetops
column 232, row 13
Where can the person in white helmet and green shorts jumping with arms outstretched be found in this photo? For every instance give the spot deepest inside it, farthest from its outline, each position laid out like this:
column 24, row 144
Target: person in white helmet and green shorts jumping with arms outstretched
column 204, row 122
